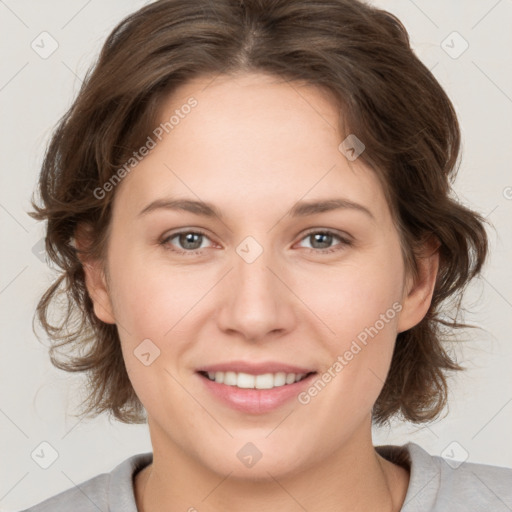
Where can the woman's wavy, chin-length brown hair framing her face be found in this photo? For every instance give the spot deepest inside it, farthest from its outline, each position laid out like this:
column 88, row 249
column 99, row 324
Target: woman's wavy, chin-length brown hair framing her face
column 390, row 99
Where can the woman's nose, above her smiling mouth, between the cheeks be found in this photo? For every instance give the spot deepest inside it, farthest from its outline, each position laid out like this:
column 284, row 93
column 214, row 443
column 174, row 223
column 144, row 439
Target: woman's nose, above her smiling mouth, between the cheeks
column 258, row 303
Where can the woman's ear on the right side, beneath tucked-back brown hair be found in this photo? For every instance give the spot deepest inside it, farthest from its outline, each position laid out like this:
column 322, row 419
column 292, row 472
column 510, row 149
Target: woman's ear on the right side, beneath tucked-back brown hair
column 418, row 293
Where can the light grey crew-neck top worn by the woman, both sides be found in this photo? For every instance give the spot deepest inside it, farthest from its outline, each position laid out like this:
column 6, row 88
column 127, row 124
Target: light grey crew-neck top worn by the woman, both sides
column 435, row 485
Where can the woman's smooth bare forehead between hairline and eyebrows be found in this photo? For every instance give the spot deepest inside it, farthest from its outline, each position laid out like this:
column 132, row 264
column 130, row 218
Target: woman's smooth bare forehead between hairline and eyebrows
column 250, row 142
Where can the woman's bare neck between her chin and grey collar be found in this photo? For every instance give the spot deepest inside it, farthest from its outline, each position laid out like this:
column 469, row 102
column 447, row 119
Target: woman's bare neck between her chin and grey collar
column 353, row 478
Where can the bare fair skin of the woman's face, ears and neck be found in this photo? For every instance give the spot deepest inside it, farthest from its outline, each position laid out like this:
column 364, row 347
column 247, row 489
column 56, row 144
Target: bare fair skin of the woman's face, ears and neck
column 254, row 146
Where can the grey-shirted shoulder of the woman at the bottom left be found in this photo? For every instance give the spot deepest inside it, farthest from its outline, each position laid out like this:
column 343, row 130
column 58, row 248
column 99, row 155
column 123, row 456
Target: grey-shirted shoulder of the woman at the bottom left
column 108, row 491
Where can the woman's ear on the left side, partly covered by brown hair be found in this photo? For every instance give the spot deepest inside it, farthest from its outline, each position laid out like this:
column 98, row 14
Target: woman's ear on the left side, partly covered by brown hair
column 95, row 278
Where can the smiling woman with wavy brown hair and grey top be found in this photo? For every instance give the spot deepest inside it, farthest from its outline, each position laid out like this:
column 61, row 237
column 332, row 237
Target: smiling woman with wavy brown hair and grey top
column 250, row 202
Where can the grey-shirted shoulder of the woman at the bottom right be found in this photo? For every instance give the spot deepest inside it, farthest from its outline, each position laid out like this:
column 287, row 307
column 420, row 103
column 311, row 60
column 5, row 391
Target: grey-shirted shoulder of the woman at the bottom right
column 438, row 484
